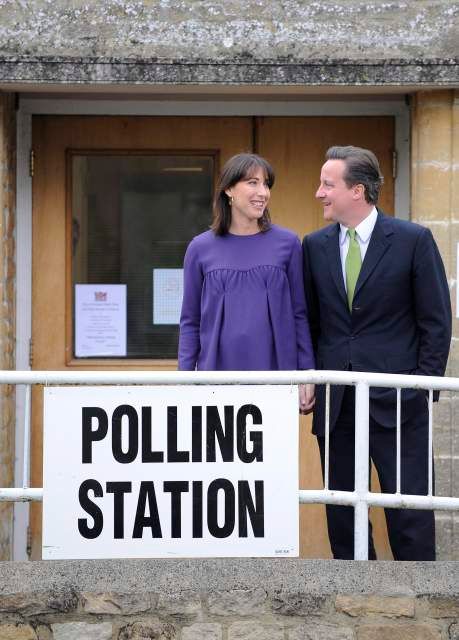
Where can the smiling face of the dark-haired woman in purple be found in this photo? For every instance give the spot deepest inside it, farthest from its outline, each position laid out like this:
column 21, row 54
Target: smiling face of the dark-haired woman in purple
column 250, row 196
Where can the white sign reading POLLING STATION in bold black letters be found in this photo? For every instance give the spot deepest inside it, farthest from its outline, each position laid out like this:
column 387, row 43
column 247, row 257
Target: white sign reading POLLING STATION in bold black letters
column 133, row 472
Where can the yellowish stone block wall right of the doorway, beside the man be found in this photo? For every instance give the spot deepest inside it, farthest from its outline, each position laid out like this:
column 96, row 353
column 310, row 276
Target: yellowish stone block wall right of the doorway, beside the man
column 435, row 203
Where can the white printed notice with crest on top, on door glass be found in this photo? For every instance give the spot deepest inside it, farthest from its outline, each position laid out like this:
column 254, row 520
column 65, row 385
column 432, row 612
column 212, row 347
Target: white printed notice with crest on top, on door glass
column 100, row 320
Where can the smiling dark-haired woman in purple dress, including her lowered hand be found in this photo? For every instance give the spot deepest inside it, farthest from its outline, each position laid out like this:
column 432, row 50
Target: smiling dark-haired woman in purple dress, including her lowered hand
column 243, row 303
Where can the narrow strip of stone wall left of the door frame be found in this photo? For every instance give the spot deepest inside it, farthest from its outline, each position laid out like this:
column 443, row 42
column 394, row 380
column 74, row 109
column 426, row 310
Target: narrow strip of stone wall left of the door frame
column 7, row 309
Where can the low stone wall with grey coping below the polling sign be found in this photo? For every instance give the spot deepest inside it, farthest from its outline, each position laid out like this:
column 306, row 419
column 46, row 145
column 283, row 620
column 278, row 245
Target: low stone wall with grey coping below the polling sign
column 228, row 600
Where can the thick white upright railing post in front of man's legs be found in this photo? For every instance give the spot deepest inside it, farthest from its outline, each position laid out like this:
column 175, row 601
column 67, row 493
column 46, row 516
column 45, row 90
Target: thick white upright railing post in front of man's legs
column 362, row 441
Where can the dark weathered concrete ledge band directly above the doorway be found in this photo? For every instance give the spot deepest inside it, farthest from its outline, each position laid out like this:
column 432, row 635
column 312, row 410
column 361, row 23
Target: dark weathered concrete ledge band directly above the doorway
column 432, row 73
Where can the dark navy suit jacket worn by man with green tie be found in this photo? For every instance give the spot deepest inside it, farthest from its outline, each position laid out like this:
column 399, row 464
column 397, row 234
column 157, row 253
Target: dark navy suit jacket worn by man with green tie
column 400, row 320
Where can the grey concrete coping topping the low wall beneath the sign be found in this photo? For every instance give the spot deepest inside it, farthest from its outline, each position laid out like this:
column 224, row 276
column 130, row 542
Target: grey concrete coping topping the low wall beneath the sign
column 323, row 577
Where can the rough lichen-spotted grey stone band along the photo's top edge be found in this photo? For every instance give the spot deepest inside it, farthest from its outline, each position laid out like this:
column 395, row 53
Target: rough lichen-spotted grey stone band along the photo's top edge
column 221, row 29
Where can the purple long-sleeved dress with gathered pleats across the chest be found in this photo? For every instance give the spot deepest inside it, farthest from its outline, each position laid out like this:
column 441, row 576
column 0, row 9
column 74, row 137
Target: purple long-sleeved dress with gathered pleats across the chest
column 243, row 304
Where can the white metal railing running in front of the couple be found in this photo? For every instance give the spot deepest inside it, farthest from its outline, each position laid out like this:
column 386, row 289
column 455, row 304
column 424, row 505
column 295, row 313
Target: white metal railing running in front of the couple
column 360, row 499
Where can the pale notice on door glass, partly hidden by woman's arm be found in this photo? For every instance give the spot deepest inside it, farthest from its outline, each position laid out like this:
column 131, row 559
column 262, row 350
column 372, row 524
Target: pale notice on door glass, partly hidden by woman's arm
column 167, row 295
